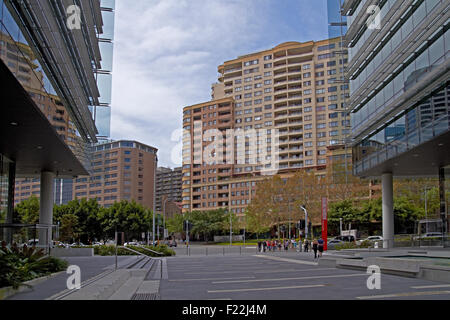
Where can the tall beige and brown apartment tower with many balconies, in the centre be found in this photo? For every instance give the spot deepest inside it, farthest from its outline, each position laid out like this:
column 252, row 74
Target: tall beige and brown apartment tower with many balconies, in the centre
column 281, row 108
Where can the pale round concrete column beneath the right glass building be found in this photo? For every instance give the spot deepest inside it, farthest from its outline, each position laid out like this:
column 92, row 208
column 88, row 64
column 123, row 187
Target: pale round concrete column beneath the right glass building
column 388, row 210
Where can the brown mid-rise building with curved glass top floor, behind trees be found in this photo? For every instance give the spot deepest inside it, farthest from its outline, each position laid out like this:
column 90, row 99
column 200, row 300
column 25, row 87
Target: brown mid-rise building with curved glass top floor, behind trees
column 121, row 170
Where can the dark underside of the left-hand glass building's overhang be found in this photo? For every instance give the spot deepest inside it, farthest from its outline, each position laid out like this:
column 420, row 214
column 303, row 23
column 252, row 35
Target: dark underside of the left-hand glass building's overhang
column 28, row 138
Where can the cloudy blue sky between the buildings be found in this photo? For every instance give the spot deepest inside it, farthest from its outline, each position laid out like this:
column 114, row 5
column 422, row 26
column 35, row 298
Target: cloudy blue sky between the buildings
column 166, row 54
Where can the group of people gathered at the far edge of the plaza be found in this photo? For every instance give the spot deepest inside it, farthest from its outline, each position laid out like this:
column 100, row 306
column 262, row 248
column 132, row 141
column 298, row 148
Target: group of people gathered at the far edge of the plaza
column 274, row 245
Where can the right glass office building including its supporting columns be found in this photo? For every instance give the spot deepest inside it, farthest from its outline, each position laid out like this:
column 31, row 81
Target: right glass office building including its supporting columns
column 400, row 94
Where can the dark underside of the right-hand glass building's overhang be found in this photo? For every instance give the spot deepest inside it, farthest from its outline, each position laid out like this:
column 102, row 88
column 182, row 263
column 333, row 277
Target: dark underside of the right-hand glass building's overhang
column 423, row 160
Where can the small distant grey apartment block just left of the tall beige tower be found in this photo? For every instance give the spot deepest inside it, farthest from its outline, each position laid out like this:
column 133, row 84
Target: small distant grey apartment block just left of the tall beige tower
column 168, row 187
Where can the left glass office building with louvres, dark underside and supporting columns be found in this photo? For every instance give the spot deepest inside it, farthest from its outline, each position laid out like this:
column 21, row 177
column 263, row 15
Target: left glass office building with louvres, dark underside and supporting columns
column 50, row 75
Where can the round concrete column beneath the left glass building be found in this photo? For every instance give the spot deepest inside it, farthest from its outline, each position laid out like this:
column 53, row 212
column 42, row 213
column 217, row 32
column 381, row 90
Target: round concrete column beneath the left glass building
column 46, row 206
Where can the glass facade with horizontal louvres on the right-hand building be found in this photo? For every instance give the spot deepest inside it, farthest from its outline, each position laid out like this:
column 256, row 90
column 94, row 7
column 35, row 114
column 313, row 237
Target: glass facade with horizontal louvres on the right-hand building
column 399, row 92
